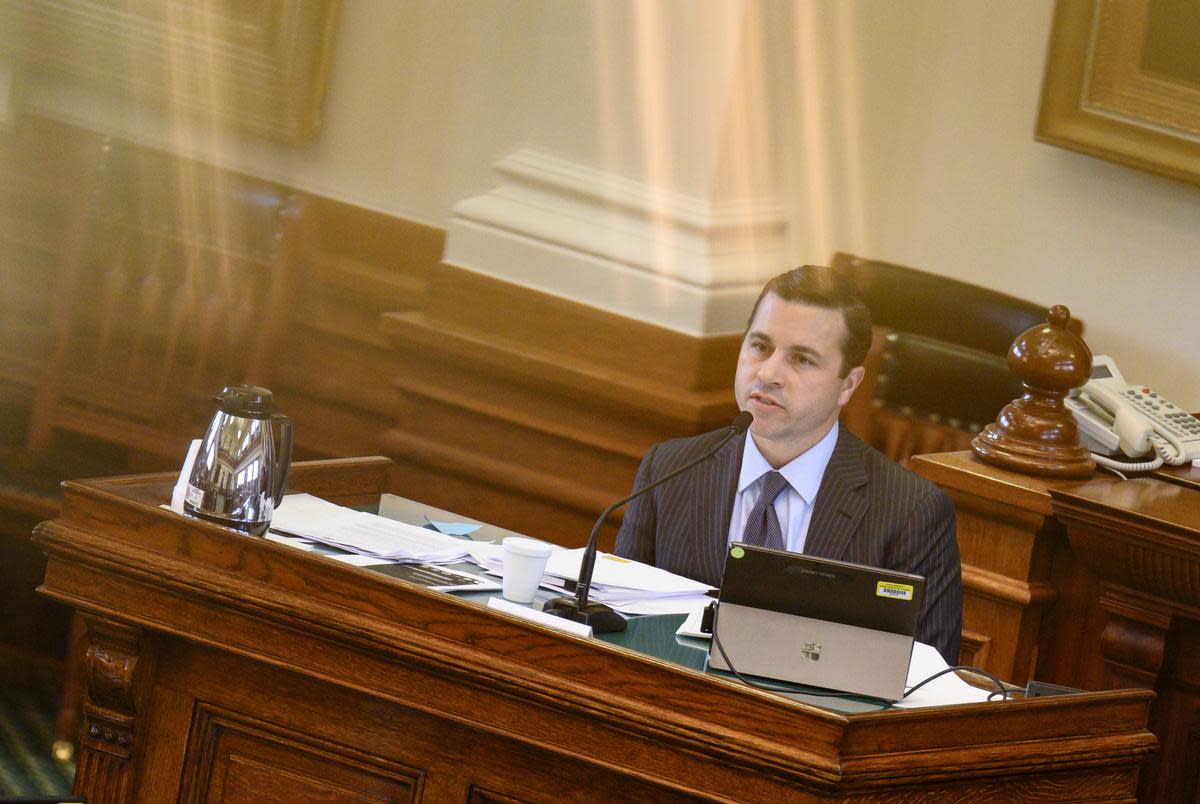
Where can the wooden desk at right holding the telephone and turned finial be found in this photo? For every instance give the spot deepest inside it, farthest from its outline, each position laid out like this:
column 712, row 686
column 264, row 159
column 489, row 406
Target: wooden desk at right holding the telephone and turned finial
column 1112, row 577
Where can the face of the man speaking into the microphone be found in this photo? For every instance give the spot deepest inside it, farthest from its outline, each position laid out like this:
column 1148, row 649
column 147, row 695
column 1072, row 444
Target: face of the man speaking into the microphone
column 788, row 376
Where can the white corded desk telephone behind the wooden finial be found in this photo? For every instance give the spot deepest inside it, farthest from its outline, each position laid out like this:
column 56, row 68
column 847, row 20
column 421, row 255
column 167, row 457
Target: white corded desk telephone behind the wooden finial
column 1120, row 419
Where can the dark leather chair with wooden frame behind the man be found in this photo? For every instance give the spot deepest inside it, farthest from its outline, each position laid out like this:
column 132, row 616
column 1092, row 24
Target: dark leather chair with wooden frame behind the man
column 938, row 373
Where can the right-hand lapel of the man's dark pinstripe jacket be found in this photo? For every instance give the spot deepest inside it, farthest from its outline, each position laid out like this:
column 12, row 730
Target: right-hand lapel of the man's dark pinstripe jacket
column 842, row 501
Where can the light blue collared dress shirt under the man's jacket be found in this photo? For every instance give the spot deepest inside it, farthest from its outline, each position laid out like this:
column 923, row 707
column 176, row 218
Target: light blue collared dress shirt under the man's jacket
column 794, row 507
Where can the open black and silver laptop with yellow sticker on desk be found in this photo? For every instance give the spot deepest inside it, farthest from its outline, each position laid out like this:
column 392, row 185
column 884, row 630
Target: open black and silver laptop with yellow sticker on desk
column 817, row 622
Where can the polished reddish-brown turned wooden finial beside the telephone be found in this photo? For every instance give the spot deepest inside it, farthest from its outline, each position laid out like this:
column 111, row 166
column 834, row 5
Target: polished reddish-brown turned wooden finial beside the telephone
column 1037, row 434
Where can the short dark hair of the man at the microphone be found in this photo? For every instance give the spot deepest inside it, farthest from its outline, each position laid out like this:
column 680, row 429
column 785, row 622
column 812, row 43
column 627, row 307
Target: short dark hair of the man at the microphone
column 825, row 287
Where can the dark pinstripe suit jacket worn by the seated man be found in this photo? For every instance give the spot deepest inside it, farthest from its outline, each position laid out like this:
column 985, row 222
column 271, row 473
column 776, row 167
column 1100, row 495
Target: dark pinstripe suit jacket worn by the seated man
column 869, row 511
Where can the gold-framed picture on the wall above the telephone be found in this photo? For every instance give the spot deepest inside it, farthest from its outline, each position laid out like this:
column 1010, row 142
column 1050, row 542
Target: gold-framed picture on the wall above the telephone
column 1123, row 83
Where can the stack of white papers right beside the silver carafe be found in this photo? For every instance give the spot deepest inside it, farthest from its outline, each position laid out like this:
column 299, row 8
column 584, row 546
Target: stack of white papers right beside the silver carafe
column 358, row 532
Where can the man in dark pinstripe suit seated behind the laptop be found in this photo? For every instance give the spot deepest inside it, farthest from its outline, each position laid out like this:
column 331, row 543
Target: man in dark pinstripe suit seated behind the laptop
column 800, row 482
